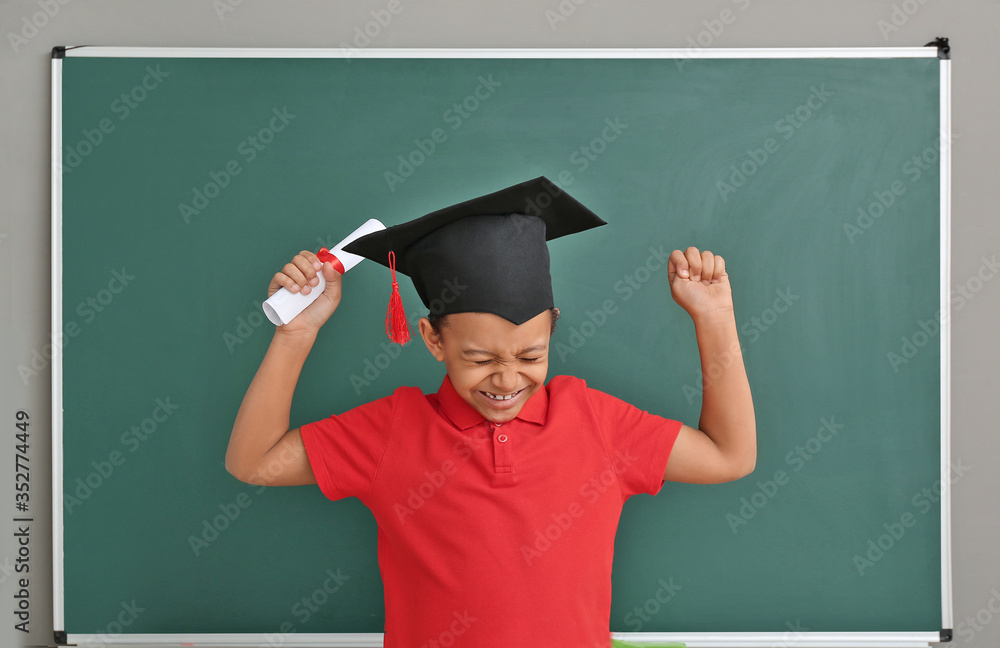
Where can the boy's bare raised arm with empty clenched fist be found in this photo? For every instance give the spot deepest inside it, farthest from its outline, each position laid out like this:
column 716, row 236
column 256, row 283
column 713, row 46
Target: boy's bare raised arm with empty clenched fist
column 724, row 448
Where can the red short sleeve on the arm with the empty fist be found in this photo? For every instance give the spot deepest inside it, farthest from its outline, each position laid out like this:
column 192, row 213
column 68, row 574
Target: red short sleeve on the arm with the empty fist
column 639, row 443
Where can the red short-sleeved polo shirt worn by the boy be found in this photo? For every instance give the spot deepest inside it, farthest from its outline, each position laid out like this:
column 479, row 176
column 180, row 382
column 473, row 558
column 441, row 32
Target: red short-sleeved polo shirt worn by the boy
column 494, row 535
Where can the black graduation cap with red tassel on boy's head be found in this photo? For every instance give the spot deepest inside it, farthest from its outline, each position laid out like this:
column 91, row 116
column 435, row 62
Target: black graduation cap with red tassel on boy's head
column 487, row 254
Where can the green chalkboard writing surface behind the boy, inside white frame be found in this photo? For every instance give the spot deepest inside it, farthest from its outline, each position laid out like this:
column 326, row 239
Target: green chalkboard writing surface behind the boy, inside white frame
column 187, row 182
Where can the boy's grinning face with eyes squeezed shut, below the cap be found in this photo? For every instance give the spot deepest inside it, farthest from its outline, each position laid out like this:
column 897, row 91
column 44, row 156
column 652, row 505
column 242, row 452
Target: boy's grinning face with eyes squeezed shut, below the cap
column 493, row 364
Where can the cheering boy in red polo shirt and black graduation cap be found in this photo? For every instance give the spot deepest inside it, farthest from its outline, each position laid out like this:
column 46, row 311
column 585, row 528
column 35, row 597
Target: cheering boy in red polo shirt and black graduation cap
column 522, row 482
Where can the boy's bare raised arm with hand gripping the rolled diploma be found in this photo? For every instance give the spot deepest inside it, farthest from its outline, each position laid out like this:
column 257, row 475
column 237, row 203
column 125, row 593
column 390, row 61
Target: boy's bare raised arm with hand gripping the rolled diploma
column 262, row 450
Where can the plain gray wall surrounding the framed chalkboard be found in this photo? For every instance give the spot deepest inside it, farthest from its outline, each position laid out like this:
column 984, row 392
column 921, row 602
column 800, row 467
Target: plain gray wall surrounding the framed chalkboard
column 971, row 26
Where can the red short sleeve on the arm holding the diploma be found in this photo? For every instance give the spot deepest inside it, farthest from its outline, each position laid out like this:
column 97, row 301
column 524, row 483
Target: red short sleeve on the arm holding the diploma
column 345, row 450
